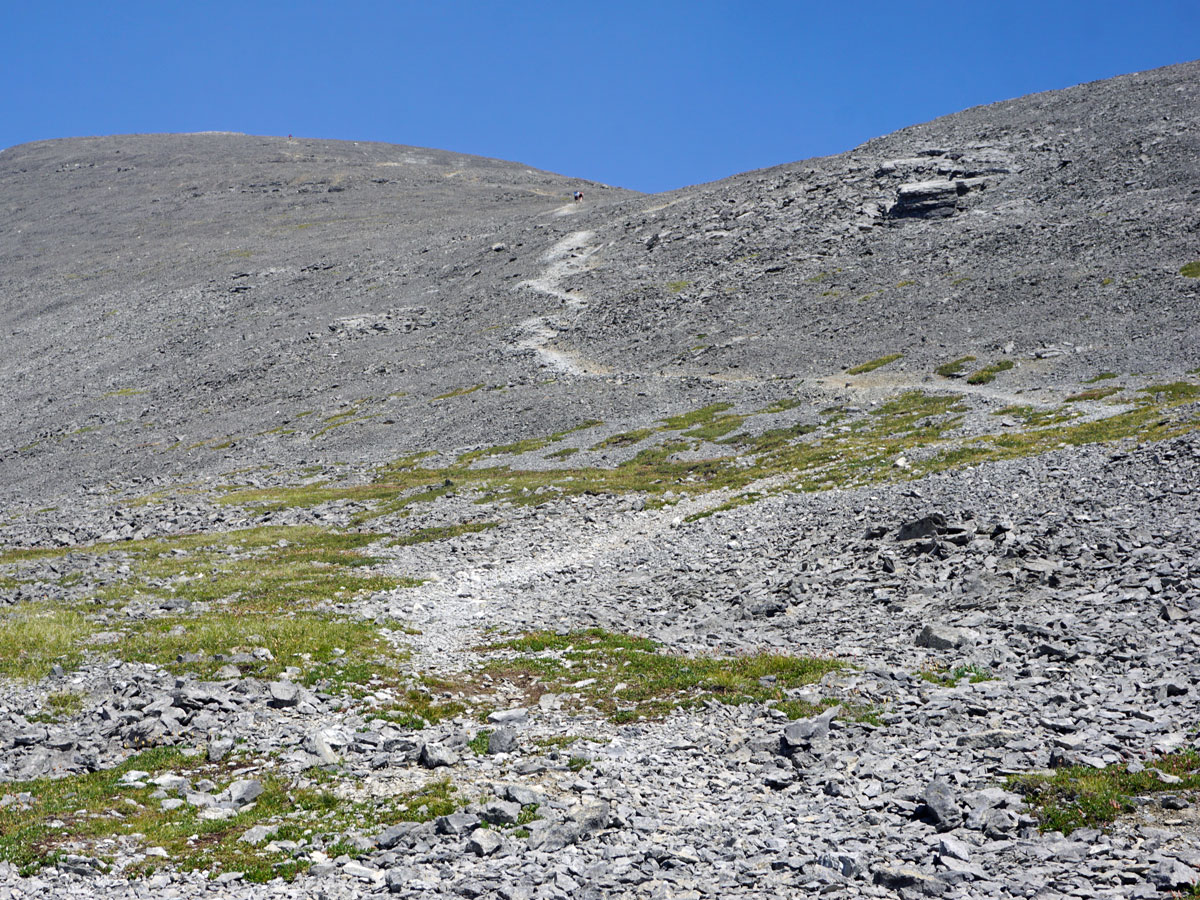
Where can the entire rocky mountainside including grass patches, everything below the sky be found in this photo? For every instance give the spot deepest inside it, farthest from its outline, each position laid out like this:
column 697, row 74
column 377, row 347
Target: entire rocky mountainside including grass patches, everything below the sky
column 403, row 525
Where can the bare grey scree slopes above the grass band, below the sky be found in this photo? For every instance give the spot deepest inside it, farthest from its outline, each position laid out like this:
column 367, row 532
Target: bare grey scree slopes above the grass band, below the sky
column 171, row 290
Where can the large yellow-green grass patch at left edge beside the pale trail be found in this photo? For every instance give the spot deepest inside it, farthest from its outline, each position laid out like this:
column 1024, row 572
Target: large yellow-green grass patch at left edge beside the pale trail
column 253, row 589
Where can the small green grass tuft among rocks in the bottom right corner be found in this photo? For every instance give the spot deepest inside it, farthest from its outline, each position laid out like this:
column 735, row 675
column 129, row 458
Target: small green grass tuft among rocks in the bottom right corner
column 1083, row 797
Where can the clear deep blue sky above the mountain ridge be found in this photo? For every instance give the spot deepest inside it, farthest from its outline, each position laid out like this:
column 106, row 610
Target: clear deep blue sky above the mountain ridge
column 645, row 95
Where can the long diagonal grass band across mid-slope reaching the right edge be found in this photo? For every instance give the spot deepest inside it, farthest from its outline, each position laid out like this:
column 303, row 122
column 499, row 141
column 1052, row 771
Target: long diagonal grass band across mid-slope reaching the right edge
column 844, row 449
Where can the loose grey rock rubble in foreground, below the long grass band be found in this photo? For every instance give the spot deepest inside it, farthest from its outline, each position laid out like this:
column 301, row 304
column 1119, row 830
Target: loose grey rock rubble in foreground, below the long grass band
column 1064, row 591
